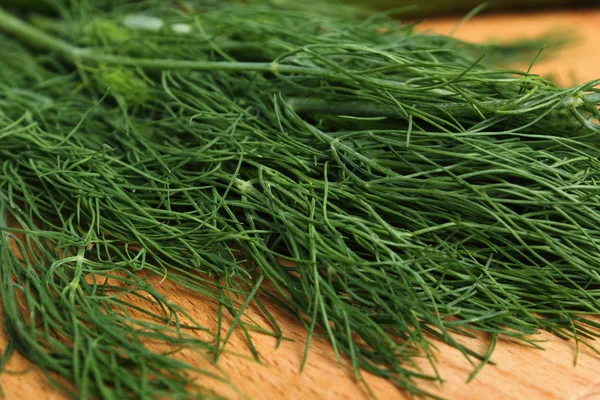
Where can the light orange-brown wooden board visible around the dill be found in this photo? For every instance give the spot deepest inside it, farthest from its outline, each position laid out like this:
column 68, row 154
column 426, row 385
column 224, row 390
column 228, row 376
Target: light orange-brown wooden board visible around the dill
column 520, row 373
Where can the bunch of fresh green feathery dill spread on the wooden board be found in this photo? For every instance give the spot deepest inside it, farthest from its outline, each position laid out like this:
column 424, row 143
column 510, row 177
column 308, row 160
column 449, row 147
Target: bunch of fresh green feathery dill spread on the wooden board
column 386, row 187
